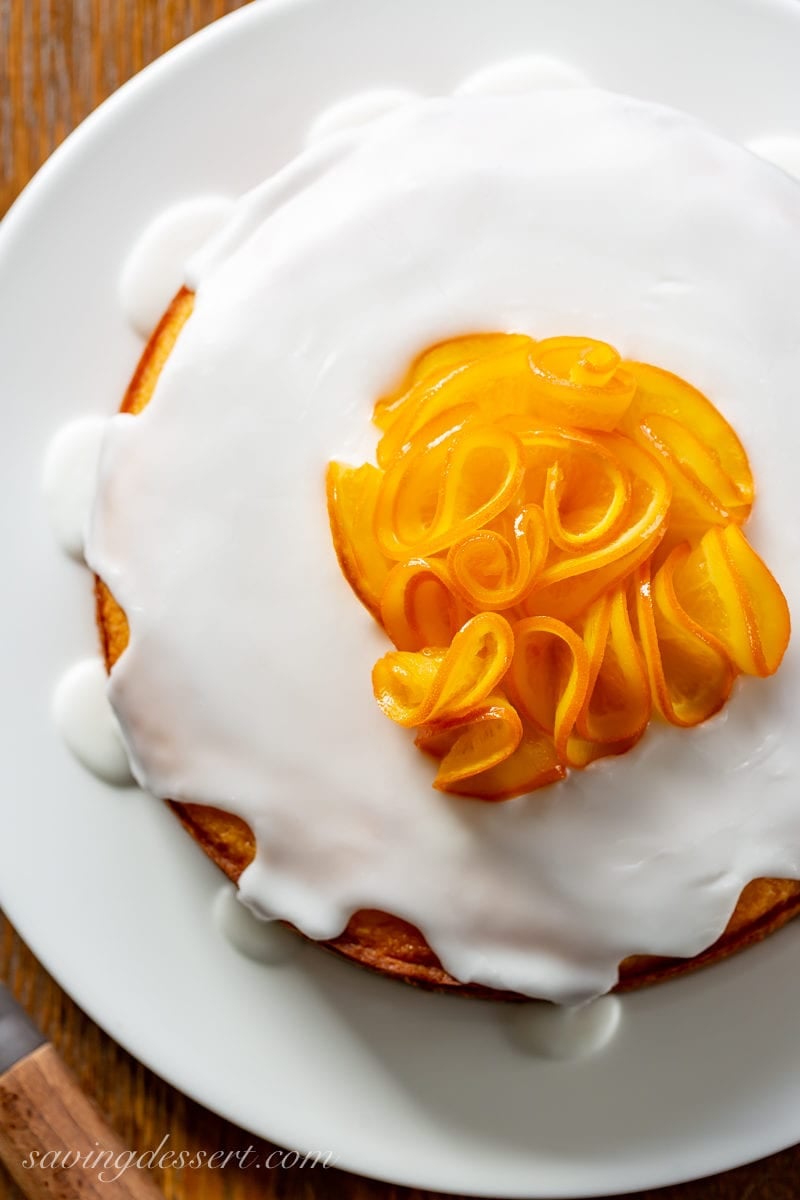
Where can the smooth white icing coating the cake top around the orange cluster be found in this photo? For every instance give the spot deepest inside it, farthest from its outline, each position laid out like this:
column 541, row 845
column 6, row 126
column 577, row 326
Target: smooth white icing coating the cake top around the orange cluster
column 248, row 680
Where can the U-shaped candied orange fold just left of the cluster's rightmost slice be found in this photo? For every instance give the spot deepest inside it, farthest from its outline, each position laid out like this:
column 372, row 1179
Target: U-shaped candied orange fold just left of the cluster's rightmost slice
column 690, row 673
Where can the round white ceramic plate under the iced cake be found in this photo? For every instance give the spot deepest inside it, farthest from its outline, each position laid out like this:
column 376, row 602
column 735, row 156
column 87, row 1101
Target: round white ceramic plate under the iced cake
column 105, row 886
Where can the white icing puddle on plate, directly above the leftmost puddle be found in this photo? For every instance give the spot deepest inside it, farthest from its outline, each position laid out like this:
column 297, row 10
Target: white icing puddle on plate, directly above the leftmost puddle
column 154, row 269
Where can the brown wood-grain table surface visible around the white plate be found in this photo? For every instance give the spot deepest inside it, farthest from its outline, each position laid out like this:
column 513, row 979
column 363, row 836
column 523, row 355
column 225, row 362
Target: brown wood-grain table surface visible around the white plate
column 58, row 61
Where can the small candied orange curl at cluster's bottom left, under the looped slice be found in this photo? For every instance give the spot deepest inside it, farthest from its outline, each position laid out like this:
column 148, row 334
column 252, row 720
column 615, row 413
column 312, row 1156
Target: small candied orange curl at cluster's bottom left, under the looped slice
column 472, row 745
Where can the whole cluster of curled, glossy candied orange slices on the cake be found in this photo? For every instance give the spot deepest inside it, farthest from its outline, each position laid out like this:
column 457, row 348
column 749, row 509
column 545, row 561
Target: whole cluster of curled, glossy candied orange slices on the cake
column 552, row 538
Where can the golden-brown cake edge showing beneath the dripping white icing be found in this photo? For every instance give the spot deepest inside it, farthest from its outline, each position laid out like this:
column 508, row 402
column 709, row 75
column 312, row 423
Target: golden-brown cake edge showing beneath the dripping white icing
column 378, row 940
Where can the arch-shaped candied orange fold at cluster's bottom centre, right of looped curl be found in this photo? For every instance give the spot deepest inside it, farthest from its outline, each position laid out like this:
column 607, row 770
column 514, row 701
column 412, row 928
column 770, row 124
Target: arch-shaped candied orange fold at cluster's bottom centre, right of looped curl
column 549, row 679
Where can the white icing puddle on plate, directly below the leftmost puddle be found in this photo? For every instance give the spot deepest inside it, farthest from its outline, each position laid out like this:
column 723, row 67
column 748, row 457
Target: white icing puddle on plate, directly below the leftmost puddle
column 87, row 722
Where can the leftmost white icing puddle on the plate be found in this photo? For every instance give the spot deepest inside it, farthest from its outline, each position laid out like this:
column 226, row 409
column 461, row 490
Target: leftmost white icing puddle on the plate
column 70, row 481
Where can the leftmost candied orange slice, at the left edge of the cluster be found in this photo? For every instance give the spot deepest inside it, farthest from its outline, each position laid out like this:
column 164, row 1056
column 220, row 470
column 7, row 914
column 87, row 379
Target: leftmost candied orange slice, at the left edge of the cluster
column 352, row 496
